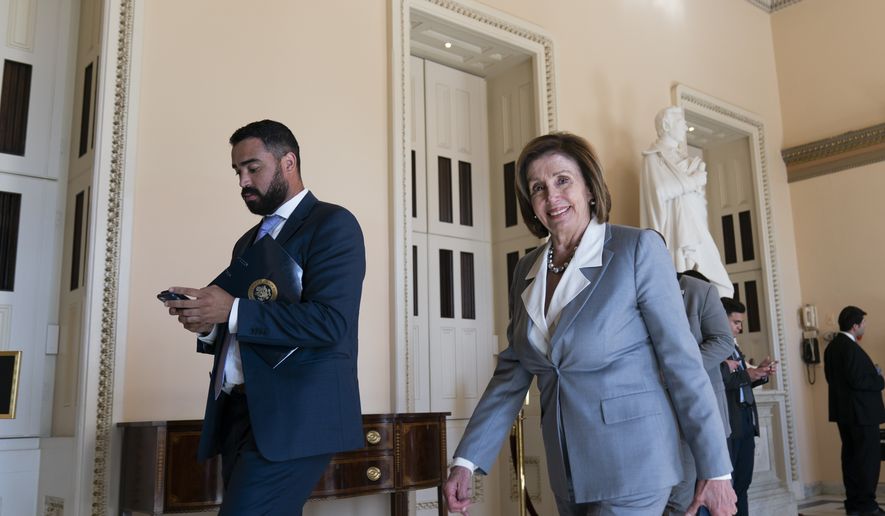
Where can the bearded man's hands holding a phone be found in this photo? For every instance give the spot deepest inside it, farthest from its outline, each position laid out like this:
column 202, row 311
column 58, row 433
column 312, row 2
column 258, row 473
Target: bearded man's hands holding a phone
column 198, row 309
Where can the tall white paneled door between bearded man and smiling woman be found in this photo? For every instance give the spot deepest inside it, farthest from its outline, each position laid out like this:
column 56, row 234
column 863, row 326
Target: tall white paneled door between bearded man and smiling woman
column 451, row 319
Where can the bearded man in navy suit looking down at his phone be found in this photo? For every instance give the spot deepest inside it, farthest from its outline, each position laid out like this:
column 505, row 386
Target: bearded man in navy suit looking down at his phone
column 277, row 428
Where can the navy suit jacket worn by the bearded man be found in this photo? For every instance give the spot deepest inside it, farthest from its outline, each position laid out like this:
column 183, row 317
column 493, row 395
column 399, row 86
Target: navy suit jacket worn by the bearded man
column 310, row 404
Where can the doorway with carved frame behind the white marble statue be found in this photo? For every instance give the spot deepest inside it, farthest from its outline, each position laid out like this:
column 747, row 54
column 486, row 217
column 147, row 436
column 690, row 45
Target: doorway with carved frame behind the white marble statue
column 739, row 209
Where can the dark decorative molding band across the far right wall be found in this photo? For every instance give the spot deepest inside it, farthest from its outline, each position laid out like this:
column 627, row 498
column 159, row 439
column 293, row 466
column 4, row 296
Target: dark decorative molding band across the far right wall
column 849, row 150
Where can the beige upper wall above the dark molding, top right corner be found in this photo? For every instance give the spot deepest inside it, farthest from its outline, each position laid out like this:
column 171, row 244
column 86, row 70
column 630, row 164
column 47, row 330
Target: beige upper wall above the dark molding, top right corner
column 829, row 57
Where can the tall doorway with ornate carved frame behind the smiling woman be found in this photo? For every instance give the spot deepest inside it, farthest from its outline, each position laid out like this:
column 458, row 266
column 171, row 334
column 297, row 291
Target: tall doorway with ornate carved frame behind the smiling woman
column 446, row 339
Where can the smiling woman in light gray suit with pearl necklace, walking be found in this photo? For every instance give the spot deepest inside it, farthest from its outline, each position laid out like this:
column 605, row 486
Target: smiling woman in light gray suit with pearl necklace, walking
column 598, row 318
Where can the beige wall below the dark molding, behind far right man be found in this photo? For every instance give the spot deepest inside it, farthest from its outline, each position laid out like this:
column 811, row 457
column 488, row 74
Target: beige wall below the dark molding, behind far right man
column 840, row 262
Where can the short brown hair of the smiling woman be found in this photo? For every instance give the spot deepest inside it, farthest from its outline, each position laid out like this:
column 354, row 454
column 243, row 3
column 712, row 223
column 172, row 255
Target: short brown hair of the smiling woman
column 576, row 148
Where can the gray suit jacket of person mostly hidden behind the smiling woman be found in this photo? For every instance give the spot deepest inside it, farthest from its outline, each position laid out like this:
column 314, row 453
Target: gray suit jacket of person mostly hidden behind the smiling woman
column 709, row 325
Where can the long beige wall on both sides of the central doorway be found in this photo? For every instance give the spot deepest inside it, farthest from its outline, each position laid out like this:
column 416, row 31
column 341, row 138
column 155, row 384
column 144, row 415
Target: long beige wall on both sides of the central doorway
column 209, row 66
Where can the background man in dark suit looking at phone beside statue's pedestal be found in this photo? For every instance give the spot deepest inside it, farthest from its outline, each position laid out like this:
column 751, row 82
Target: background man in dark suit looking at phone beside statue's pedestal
column 739, row 381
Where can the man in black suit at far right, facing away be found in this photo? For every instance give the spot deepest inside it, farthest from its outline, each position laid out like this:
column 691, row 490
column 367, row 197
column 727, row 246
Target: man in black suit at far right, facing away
column 855, row 386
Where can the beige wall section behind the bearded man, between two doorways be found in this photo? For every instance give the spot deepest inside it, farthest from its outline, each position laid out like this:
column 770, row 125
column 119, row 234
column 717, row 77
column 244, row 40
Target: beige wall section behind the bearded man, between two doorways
column 209, row 67
